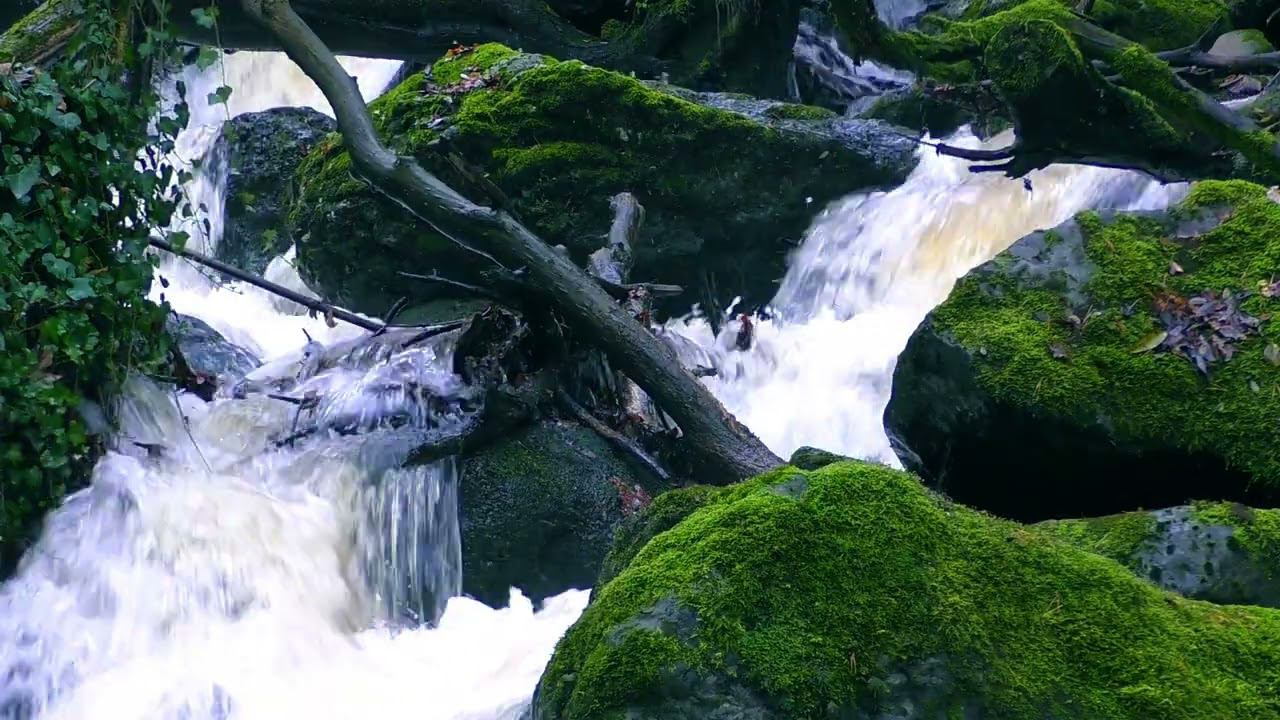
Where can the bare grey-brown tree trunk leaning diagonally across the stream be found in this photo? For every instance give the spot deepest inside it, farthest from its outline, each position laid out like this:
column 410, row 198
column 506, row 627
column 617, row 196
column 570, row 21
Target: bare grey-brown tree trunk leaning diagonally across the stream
column 725, row 450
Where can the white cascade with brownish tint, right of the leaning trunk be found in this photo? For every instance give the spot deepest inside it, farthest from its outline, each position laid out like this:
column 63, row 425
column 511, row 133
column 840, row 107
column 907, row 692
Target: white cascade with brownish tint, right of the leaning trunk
column 870, row 271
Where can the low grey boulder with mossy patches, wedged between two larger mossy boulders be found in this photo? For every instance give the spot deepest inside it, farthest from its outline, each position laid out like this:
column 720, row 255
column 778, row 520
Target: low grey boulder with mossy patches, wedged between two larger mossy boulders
column 1217, row 552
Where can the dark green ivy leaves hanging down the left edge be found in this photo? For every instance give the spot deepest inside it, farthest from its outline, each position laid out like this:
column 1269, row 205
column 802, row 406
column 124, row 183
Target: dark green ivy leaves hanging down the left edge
column 76, row 209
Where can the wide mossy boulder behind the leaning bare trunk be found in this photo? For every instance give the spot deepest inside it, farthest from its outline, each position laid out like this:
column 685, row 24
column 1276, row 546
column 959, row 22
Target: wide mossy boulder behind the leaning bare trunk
column 728, row 193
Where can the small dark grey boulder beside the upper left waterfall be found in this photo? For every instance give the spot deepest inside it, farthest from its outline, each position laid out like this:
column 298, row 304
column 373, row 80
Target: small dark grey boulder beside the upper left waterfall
column 263, row 152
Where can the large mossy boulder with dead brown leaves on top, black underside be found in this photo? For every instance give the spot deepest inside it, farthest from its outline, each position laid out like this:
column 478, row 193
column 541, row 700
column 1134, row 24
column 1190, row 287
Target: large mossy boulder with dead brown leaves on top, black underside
column 1121, row 361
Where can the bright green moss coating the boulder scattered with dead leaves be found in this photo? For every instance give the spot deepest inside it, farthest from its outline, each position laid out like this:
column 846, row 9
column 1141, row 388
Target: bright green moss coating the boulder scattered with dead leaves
column 1144, row 398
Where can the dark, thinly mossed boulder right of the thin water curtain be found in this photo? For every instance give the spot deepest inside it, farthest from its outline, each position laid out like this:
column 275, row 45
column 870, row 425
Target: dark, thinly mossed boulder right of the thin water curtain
column 540, row 511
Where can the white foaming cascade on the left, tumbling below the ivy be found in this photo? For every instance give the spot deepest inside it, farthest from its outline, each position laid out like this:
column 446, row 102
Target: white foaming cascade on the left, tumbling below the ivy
column 216, row 571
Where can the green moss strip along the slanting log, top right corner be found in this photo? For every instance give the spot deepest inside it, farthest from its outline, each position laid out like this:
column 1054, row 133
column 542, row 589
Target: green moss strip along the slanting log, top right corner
column 1149, row 75
